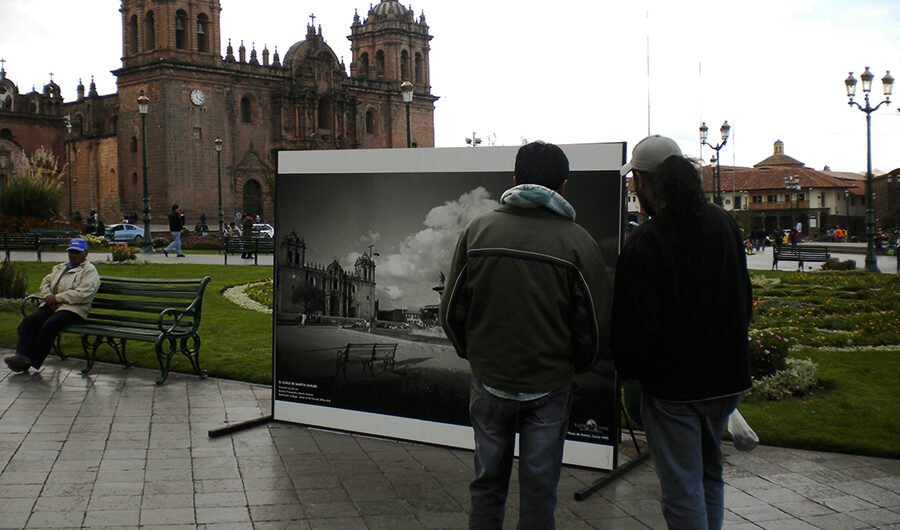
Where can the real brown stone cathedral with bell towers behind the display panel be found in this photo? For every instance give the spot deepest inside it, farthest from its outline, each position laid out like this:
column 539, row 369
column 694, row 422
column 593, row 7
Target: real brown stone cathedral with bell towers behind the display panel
column 257, row 103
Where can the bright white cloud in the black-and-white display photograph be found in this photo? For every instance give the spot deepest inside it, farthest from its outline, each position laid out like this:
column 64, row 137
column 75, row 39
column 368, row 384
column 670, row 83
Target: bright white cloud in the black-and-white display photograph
column 423, row 255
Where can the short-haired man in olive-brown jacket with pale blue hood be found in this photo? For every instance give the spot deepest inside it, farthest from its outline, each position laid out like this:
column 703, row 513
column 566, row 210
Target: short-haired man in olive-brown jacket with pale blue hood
column 527, row 303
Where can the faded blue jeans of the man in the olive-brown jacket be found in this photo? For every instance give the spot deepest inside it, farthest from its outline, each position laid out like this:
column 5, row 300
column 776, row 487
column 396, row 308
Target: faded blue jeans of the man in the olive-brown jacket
column 542, row 424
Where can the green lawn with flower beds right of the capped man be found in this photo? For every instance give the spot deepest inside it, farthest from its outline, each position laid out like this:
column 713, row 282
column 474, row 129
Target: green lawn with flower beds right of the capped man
column 849, row 325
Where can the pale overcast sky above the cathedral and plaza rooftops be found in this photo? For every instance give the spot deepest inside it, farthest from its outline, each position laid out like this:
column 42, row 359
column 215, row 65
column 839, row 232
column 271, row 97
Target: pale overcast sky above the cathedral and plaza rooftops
column 567, row 71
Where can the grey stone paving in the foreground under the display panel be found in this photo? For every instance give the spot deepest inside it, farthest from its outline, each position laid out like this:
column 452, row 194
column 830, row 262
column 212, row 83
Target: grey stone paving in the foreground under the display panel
column 114, row 450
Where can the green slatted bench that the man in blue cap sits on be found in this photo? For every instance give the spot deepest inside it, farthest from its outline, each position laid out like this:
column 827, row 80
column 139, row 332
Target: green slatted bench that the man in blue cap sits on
column 165, row 313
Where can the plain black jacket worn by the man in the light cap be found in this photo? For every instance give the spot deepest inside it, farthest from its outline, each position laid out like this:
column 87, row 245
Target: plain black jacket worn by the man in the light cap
column 680, row 316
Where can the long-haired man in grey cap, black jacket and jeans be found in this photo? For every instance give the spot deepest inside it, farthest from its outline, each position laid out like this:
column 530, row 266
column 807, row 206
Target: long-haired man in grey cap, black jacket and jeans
column 681, row 310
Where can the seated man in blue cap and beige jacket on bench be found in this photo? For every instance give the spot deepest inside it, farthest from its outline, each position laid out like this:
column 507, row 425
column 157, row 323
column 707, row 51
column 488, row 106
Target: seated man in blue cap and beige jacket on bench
column 67, row 293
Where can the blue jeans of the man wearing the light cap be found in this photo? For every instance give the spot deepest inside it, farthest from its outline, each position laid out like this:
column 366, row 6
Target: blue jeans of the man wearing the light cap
column 685, row 443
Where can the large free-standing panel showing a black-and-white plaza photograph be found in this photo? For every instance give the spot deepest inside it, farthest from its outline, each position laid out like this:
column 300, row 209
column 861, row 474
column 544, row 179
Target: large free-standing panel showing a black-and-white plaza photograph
column 364, row 239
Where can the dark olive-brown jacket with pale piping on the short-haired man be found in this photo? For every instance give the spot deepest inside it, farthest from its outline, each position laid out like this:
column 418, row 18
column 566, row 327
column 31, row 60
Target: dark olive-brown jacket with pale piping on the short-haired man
column 527, row 299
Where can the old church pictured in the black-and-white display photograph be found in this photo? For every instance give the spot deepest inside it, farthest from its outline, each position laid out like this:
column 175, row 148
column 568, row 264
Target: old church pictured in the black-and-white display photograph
column 306, row 288
